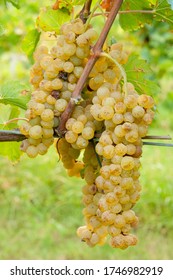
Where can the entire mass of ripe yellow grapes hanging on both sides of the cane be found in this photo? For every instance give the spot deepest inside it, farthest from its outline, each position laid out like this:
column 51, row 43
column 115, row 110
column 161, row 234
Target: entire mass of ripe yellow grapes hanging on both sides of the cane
column 103, row 139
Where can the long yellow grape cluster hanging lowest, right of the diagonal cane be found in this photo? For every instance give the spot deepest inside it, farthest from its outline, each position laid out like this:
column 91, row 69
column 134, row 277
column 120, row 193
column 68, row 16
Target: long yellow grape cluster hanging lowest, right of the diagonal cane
column 116, row 187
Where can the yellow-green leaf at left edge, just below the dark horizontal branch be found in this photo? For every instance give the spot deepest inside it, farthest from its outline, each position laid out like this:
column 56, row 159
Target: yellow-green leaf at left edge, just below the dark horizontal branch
column 11, row 150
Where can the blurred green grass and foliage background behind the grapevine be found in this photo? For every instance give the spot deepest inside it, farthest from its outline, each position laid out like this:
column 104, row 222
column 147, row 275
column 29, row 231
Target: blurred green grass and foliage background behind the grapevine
column 40, row 207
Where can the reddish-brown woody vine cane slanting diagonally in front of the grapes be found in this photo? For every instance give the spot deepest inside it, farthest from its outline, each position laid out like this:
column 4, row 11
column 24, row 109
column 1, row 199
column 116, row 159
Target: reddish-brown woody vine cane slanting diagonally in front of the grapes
column 96, row 50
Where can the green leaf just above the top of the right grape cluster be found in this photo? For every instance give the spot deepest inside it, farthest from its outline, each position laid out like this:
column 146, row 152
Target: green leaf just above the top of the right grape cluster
column 138, row 73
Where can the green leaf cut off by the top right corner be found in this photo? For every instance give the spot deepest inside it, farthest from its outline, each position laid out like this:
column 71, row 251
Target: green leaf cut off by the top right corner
column 163, row 12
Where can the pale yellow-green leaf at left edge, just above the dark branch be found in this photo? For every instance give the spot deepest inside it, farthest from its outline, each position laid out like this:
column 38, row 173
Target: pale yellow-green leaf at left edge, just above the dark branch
column 7, row 113
